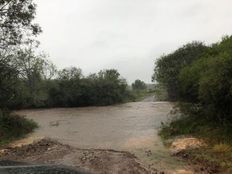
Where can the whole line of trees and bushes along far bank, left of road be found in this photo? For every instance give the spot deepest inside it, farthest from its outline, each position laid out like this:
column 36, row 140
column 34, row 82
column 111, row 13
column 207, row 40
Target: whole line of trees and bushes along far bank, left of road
column 30, row 81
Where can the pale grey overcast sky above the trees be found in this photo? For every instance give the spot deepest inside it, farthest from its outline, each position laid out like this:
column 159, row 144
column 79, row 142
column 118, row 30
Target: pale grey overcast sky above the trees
column 127, row 35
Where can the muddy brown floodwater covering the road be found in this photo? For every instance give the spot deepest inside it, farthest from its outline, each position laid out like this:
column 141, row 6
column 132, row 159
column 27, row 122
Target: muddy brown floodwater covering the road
column 131, row 127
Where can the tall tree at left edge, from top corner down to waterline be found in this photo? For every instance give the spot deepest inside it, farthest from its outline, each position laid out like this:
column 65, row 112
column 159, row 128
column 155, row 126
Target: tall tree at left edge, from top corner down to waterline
column 15, row 28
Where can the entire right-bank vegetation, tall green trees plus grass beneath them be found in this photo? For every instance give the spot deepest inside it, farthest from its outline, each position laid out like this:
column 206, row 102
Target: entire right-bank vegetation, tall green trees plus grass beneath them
column 199, row 79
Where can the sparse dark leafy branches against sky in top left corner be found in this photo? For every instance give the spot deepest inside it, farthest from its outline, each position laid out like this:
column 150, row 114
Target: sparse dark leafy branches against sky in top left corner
column 16, row 22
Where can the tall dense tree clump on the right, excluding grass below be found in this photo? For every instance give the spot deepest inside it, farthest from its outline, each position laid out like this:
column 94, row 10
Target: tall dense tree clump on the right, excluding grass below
column 200, row 75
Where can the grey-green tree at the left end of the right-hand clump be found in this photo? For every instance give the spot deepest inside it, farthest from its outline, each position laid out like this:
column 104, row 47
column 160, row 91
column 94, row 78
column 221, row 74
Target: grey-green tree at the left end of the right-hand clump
column 168, row 67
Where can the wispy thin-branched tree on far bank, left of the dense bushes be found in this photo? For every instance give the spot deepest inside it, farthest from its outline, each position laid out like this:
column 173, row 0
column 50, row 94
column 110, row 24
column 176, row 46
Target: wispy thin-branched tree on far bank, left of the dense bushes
column 34, row 70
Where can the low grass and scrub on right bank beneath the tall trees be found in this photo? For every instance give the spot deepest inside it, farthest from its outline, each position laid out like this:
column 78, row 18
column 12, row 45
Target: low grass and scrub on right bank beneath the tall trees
column 192, row 122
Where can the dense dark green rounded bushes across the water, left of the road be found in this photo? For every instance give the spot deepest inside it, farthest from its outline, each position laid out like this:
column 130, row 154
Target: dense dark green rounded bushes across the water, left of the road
column 73, row 89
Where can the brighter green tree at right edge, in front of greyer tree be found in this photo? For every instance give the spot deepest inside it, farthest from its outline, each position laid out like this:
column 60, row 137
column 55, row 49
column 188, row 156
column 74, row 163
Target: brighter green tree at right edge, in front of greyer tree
column 207, row 82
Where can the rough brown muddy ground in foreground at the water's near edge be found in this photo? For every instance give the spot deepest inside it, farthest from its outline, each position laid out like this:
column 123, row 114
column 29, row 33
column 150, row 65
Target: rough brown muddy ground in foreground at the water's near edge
column 47, row 151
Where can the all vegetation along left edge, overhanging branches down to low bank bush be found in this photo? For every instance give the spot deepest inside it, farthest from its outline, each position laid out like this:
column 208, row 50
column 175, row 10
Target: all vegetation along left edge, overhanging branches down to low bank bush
column 16, row 29
